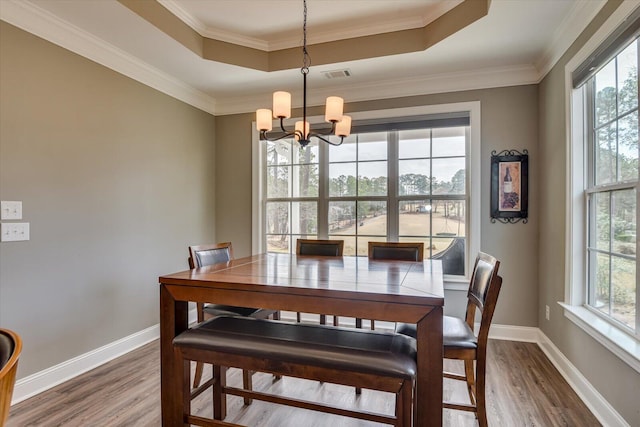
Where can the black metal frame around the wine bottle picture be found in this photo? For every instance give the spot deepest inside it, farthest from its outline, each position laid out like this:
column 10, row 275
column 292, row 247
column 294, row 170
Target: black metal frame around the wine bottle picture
column 508, row 216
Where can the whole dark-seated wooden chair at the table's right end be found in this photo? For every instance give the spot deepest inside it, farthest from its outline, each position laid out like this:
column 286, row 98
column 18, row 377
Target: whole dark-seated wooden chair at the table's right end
column 461, row 343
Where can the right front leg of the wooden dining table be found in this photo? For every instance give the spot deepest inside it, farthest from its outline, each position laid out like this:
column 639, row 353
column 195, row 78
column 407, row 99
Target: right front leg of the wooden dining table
column 428, row 401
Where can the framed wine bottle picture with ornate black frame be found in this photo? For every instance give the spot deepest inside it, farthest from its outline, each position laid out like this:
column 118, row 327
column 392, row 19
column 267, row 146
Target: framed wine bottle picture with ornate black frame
column 509, row 186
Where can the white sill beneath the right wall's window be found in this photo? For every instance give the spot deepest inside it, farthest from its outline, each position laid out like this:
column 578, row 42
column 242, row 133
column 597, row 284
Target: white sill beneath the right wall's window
column 618, row 342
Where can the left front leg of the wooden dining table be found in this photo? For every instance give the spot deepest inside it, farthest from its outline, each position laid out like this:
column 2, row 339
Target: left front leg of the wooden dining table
column 173, row 320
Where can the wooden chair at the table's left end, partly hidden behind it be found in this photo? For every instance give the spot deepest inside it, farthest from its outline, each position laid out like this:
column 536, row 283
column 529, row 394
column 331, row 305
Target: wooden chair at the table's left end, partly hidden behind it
column 203, row 255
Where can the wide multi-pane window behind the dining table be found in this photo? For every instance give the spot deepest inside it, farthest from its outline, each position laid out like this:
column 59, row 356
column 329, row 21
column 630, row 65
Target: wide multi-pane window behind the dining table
column 396, row 178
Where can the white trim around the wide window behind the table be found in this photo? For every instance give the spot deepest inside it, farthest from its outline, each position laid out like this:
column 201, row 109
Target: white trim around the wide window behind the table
column 473, row 167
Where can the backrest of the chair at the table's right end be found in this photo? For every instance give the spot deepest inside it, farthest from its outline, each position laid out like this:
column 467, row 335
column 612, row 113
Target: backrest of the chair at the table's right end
column 484, row 289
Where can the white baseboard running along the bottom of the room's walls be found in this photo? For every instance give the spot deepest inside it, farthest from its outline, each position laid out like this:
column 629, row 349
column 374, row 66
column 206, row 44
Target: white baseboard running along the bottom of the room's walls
column 44, row 380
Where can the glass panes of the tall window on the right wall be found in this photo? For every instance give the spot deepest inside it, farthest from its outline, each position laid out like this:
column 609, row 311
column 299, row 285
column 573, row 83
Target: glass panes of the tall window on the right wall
column 612, row 188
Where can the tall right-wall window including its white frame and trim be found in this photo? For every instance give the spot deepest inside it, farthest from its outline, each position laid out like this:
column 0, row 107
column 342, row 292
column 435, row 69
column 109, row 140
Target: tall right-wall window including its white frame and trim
column 602, row 287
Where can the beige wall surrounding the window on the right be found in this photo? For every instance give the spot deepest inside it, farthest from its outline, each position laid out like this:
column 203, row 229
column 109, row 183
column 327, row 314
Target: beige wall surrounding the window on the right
column 616, row 381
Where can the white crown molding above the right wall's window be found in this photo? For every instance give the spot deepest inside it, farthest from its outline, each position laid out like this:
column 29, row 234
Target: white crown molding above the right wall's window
column 581, row 14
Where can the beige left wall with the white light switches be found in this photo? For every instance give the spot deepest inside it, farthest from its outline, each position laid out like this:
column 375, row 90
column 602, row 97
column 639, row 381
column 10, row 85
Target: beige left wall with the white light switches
column 116, row 179
